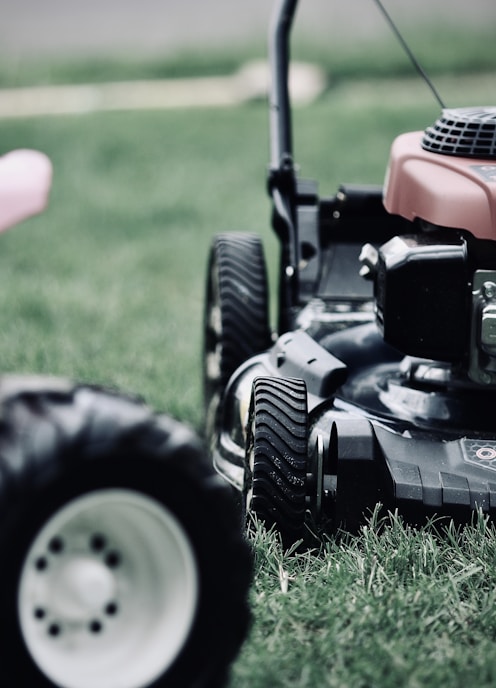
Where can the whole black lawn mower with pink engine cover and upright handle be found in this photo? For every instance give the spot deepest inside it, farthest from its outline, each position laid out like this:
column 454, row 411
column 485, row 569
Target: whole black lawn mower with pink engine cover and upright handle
column 380, row 384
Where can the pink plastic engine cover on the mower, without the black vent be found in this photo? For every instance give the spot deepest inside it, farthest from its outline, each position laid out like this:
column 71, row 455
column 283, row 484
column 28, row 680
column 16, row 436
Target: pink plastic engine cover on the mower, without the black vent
column 444, row 190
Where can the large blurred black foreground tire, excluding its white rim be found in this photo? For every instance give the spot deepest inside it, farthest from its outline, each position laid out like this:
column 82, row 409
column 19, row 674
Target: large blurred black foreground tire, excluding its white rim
column 59, row 442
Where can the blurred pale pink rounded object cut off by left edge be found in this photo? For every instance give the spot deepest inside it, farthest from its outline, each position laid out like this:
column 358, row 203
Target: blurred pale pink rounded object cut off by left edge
column 25, row 181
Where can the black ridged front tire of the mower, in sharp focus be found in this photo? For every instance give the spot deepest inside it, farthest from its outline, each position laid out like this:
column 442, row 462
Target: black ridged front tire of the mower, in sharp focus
column 277, row 455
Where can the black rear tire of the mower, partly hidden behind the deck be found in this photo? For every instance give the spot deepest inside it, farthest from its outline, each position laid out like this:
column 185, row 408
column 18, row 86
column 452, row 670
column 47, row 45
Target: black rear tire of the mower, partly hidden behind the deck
column 236, row 318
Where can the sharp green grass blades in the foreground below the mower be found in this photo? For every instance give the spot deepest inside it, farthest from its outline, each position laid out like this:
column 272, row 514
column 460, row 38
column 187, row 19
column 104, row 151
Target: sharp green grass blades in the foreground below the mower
column 392, row 607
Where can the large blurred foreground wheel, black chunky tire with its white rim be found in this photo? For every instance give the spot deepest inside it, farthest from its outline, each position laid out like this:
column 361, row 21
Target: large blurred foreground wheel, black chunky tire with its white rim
column 115, row 541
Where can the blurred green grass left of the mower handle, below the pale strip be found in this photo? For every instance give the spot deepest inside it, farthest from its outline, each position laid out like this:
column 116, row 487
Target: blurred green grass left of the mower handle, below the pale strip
column 107, row 285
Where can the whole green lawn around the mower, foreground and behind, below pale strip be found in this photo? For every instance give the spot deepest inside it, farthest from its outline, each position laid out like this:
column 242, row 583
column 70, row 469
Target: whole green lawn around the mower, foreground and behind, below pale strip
column 107, row 286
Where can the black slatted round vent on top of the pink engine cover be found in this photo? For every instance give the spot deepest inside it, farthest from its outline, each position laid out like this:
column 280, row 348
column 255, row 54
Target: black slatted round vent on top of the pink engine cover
column 466, row 132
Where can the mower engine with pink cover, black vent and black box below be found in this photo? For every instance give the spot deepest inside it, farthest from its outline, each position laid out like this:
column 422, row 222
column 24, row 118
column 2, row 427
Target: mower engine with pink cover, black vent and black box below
column 435, row 290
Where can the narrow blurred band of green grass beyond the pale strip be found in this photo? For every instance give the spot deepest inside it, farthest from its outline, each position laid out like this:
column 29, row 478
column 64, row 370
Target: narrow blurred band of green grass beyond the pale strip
column 341, row 59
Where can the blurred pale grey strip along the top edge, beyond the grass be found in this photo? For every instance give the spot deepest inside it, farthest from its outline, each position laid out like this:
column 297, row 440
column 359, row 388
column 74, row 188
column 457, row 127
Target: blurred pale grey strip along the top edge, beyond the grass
column 121, row 27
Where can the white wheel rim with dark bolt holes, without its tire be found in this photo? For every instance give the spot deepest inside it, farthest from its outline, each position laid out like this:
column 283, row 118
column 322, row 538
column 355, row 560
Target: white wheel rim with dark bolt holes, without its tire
column 108, row 592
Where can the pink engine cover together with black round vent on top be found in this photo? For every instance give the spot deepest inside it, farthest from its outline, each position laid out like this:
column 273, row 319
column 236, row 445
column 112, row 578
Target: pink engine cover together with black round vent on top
column 447, row 175
